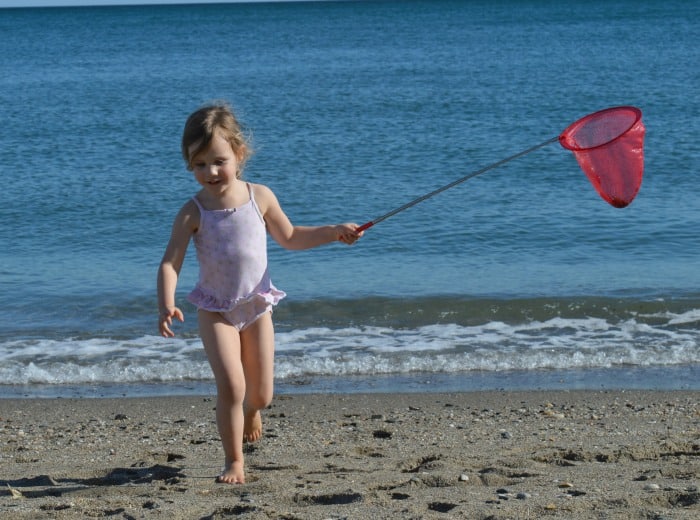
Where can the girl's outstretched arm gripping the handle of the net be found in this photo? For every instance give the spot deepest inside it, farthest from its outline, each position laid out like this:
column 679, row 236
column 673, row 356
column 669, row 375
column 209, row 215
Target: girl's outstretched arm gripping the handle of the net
column 290, row 236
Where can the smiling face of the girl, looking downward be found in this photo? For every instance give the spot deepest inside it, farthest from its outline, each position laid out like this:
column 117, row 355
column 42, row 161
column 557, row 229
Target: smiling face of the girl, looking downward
column 216, row 167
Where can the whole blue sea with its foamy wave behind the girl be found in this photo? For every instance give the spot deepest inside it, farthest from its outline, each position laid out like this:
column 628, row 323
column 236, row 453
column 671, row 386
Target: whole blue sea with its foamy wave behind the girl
column 520, row 278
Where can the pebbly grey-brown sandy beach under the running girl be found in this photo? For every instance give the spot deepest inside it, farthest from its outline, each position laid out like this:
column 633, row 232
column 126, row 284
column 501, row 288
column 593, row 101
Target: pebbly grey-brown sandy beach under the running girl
column 477, row 455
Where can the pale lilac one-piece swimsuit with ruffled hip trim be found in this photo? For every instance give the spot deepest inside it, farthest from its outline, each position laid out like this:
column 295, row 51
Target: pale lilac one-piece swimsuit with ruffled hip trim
column 233, row 276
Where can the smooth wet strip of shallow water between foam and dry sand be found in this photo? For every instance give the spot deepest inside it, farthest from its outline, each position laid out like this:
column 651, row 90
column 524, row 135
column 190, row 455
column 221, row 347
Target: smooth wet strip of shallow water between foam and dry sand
column 650, row 378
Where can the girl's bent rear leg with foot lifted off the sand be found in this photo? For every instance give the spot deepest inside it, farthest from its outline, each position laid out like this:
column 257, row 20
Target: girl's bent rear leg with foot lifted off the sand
column 257, row 356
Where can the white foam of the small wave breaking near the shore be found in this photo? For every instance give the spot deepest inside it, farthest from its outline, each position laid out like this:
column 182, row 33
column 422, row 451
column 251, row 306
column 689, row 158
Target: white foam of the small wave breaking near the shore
column 557, row 343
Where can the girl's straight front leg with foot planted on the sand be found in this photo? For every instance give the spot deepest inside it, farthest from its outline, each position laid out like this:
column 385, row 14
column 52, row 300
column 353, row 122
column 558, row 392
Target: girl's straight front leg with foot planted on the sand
column 222, row 344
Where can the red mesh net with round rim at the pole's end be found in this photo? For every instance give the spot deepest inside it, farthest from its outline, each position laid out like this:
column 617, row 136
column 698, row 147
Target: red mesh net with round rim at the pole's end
column 609, row 147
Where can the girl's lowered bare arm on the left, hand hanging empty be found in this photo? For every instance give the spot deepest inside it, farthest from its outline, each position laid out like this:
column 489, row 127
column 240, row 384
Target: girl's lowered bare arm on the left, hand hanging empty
column 186, row 223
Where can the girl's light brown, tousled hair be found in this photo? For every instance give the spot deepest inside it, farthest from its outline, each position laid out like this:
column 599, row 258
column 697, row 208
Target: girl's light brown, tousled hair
column 204, row 124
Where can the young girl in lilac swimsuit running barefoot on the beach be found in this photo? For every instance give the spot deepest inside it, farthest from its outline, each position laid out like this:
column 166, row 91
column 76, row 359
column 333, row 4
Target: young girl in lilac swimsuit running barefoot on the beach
column 228, row 220
